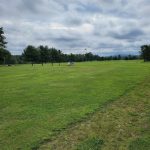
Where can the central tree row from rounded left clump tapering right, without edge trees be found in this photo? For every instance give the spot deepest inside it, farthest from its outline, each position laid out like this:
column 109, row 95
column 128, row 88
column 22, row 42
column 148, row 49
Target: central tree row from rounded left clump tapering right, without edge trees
column 44, row 54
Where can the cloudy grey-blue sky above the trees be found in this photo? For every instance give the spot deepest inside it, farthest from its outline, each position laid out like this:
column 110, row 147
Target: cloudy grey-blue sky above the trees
column 103, row 27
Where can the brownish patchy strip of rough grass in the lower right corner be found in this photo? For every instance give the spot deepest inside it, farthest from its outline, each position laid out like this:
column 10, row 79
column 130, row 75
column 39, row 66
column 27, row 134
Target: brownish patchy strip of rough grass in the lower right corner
column 121, row 125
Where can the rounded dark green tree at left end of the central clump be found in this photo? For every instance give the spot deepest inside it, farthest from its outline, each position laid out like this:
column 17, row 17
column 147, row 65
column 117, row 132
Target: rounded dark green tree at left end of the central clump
column 31, row 54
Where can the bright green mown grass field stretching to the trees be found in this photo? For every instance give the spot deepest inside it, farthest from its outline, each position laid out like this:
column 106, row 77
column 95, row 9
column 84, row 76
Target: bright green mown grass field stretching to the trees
column 37, row 102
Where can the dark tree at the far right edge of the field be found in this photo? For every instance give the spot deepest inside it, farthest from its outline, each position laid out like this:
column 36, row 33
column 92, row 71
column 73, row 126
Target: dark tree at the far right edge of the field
column 145, row 52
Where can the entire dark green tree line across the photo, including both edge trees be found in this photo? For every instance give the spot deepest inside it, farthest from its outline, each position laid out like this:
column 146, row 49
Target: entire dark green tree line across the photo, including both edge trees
column 44, row 54
